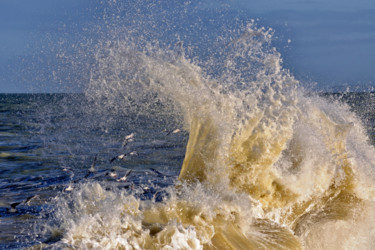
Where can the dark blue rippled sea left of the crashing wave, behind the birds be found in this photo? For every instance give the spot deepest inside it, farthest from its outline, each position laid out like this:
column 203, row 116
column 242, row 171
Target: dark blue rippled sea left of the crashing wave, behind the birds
column 47, row 142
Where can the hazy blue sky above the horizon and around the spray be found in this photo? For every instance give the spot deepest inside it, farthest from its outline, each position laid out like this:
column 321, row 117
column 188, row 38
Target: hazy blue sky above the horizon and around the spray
column 330, row 43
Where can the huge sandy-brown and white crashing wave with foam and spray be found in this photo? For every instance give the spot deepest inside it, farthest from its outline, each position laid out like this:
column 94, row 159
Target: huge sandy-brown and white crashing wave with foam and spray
column 266, row 165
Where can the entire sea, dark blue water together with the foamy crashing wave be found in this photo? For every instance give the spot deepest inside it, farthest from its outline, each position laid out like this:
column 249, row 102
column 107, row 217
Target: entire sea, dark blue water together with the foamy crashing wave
column 164, row 149
